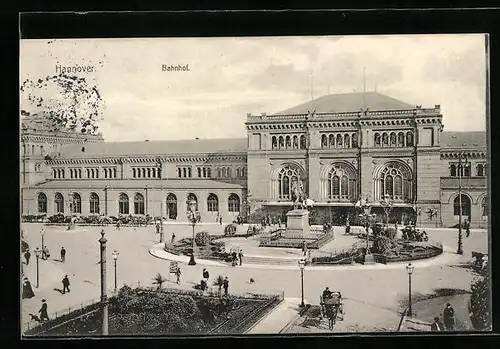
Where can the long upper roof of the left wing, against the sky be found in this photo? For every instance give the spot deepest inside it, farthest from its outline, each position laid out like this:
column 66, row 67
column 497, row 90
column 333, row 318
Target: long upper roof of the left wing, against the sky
column 190, row 146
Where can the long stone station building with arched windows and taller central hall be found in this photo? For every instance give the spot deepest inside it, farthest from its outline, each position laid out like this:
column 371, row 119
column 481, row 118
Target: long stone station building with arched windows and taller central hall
column 342, row 147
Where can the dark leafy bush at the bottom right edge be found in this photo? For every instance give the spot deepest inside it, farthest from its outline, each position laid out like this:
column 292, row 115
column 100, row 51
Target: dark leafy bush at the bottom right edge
column 480, row 306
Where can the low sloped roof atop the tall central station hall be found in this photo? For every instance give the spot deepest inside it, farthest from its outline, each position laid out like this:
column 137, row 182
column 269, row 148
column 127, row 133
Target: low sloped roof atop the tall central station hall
column 348, row 102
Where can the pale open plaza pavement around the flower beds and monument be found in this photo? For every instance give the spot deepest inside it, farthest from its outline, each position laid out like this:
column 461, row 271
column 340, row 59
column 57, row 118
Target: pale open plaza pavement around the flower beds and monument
column 371, row 293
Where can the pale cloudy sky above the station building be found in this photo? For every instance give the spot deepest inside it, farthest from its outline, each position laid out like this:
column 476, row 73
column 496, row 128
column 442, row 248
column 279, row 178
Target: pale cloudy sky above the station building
column 230, row 77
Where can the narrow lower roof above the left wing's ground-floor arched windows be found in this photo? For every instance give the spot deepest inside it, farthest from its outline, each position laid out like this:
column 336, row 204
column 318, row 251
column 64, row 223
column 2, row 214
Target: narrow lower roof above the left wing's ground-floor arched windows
column 140, row 184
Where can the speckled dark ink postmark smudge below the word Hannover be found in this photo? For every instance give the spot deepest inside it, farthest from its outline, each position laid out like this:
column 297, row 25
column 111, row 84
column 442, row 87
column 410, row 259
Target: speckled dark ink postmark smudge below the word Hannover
column 66, row 102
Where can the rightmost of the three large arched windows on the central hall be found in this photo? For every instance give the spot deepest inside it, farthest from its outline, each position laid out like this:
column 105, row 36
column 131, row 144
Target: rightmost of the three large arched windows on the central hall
column 395, row 181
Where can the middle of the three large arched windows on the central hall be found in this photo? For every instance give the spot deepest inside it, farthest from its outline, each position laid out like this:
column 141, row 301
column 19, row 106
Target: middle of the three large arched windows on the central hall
column 341, row 183
